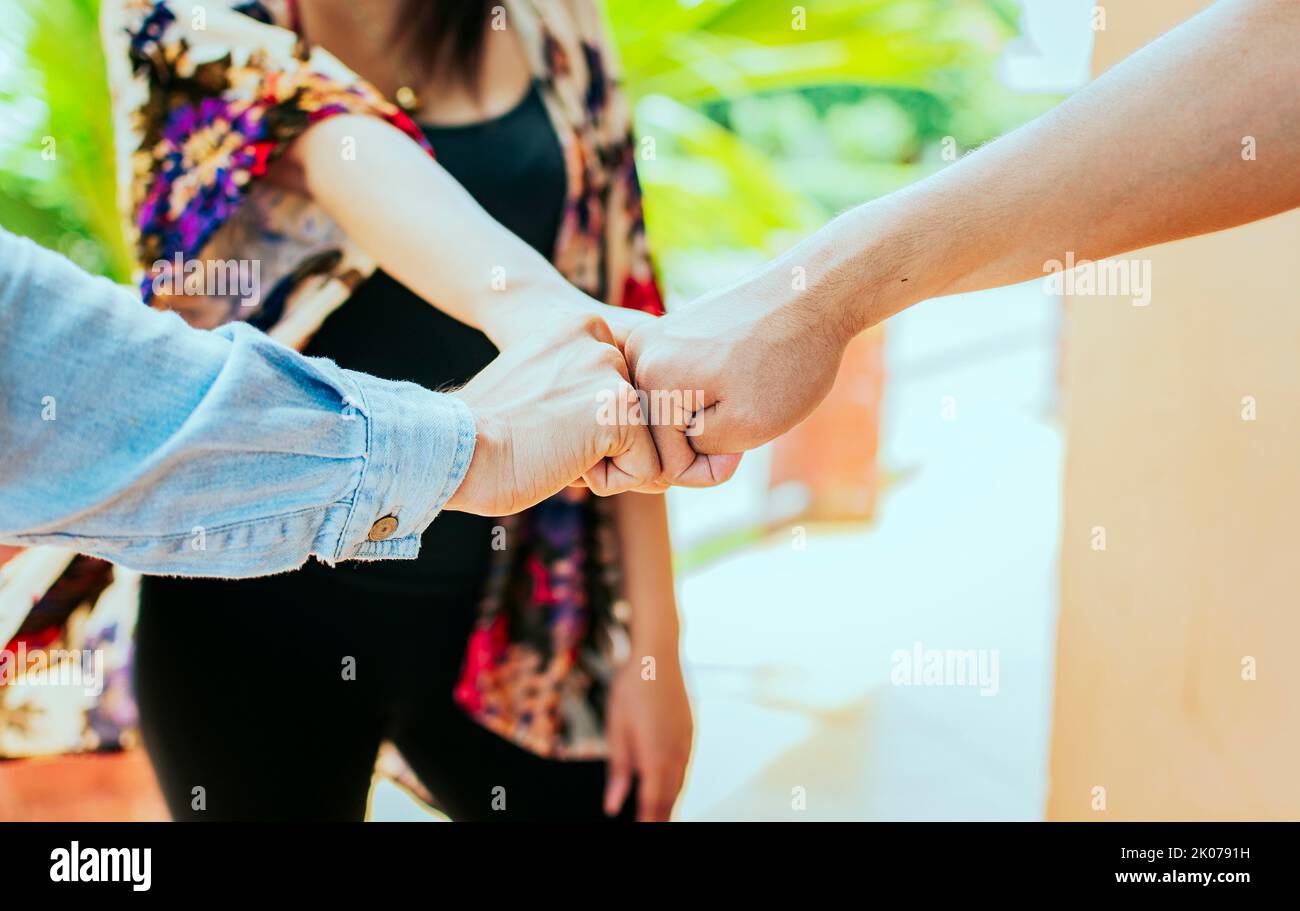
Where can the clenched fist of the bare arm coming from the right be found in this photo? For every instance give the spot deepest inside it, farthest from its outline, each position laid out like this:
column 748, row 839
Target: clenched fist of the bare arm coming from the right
column 752, row 361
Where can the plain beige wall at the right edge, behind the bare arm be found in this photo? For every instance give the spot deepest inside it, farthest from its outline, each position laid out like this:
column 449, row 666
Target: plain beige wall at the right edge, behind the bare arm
column 1202, row 517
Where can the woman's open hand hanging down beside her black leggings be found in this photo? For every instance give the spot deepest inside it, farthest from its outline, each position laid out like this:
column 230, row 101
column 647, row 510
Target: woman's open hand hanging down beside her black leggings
column 649, row 731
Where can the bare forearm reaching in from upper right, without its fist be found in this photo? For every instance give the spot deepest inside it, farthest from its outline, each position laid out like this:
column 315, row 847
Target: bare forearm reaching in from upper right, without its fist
column 1150, row 153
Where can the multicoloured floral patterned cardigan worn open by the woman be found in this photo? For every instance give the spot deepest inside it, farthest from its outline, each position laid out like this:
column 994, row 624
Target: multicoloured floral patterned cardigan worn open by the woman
column 206, row 97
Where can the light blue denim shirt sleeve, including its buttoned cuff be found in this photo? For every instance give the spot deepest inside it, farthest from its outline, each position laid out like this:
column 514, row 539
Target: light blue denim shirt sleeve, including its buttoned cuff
column 129, row 436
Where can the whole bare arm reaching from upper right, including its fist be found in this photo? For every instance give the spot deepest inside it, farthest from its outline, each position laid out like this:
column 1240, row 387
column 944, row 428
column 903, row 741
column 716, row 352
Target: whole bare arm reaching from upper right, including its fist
column 1150, row 153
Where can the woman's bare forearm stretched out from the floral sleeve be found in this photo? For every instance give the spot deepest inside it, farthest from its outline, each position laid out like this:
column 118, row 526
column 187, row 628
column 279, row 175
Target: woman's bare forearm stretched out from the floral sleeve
column 423, row 228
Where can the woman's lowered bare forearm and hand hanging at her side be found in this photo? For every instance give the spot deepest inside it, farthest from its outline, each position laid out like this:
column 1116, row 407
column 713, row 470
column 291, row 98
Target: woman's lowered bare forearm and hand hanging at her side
column 649, row 718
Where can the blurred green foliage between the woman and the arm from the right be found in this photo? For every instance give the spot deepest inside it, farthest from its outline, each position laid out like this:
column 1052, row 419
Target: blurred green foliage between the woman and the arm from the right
column 766, row 116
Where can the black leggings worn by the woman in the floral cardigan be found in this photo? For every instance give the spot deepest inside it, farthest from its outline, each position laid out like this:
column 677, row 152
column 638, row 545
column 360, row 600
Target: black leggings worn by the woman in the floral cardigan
column 242, row 693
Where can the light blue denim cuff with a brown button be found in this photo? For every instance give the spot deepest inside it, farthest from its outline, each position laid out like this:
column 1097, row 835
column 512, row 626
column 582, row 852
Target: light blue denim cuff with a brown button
column 421, row 445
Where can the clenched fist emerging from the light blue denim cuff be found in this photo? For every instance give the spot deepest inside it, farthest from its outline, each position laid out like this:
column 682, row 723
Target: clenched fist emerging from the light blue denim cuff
column 536, row 410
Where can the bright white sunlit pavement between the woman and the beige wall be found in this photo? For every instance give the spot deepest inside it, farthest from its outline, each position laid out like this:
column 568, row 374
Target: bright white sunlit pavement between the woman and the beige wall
column 791, row 650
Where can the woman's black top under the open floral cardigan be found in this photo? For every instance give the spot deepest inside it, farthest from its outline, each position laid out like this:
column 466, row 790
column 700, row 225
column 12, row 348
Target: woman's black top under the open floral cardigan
column 514, row 167
